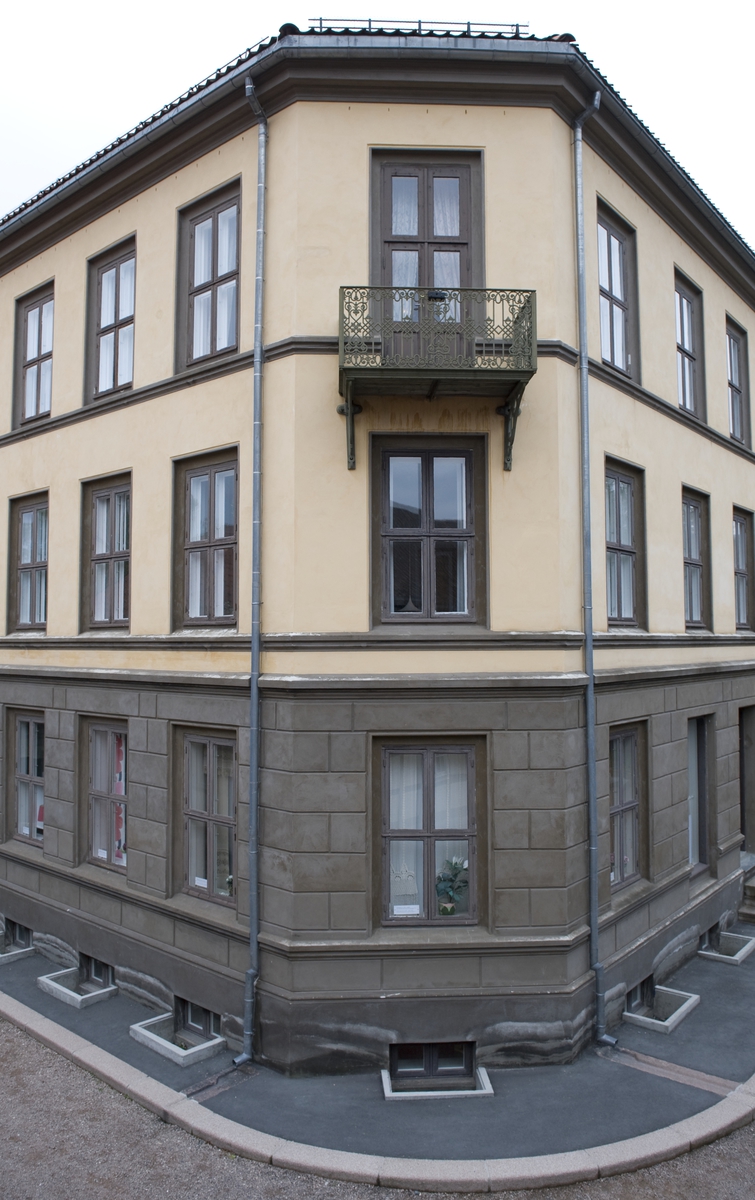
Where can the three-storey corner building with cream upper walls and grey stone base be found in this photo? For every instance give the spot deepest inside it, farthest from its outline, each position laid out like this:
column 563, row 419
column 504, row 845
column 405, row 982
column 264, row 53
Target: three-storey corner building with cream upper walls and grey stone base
column 424, row 783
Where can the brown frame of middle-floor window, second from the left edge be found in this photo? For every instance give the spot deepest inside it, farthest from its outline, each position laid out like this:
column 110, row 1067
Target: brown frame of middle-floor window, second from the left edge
column 94, row 491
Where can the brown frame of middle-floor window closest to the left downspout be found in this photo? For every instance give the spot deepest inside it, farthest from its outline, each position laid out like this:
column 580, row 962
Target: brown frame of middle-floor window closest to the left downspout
column 185, row 471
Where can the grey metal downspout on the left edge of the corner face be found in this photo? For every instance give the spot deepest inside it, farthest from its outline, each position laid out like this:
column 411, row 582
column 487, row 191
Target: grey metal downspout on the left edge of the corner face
column 250, row 982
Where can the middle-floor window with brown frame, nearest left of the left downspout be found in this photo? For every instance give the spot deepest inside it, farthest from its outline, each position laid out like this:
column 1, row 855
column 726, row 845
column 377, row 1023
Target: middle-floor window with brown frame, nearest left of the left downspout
column 206, row 500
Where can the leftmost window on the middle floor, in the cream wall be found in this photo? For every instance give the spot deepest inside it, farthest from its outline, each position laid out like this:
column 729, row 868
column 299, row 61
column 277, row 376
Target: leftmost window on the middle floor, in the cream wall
column 29, row 538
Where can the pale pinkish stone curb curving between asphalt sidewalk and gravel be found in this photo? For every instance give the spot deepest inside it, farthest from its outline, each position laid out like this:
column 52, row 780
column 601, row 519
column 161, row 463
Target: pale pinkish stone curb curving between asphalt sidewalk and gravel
column 421, row 1174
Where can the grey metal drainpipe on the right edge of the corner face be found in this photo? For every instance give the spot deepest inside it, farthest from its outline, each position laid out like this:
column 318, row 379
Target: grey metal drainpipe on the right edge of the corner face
column 588, row 583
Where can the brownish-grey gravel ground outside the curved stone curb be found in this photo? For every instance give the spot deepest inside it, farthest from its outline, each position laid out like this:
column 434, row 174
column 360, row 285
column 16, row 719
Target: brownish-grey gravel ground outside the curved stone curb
column 65, row 1136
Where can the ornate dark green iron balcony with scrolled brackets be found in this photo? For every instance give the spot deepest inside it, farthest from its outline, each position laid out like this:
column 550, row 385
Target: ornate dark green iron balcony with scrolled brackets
column 436, row 343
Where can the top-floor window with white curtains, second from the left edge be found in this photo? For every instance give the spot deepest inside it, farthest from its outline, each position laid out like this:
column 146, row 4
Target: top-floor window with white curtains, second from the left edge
column 116, row 289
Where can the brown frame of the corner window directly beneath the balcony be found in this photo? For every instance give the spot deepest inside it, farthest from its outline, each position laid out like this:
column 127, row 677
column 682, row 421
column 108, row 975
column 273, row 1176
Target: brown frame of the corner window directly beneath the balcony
column 474, row 451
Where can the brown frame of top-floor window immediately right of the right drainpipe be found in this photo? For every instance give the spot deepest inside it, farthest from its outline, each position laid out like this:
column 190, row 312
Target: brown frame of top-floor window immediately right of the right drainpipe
column 628, row 303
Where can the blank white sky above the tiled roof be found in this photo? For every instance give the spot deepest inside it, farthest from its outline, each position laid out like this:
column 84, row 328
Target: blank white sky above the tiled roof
column 75, row 76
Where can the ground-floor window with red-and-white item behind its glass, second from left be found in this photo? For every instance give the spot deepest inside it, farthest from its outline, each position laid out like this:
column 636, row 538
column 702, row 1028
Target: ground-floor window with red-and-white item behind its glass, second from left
column 107, row 796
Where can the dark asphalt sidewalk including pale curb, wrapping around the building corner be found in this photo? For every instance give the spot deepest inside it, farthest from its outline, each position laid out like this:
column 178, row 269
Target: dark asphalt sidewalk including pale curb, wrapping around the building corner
column 543, row 1125
